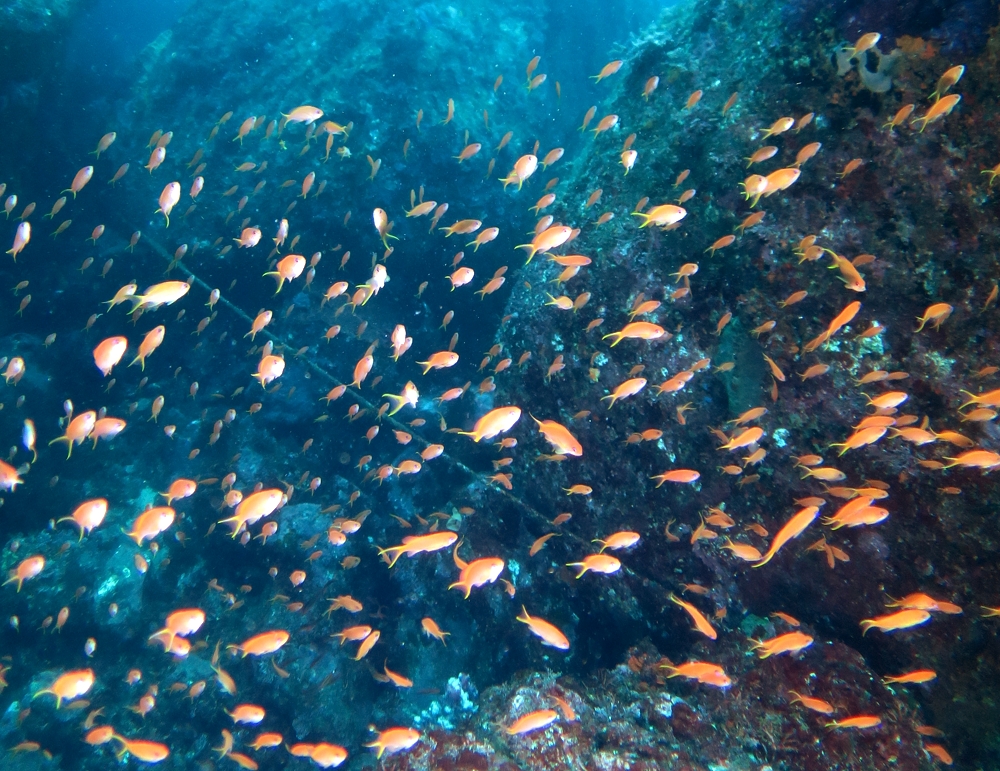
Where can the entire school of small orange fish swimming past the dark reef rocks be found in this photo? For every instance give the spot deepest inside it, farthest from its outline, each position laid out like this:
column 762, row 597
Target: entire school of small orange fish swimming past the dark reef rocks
column 255, row 508
